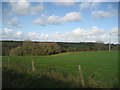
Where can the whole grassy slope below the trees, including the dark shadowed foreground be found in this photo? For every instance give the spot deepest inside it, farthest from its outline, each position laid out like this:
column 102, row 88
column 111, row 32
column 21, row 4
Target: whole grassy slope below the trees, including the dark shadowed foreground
column 100, row 69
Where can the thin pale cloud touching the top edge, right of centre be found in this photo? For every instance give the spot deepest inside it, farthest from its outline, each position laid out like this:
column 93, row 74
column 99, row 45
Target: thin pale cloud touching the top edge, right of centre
column 86, row 5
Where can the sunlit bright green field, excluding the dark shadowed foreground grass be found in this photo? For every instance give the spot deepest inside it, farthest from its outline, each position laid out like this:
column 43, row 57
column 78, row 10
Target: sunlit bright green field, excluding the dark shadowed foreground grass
column 101, row 66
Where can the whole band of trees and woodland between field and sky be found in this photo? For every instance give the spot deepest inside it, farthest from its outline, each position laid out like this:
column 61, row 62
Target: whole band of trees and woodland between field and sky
column 29, row 48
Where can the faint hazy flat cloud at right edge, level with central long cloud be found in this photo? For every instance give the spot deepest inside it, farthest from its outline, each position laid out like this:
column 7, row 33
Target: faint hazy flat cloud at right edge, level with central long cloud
column 103, row 14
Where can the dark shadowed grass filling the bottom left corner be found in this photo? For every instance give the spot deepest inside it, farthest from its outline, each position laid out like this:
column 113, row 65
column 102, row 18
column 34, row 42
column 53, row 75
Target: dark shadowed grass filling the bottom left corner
column 18, row 79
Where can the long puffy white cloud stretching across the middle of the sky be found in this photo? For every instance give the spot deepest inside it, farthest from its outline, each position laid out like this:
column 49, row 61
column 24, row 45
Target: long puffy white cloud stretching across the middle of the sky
column 69, row 17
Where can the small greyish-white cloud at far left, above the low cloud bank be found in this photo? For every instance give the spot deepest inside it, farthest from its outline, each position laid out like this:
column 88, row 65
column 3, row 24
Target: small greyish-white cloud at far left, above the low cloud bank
column 14, row 22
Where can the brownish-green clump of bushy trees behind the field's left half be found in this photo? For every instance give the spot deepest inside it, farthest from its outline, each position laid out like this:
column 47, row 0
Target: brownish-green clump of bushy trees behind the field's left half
column 29, row 48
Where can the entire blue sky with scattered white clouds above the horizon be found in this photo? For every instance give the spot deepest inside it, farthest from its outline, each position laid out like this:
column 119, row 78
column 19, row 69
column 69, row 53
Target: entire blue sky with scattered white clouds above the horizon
column 60, row 21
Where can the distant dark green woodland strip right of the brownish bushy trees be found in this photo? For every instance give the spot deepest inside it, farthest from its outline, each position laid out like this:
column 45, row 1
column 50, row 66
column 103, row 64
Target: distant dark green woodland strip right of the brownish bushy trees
column 88, row 46
